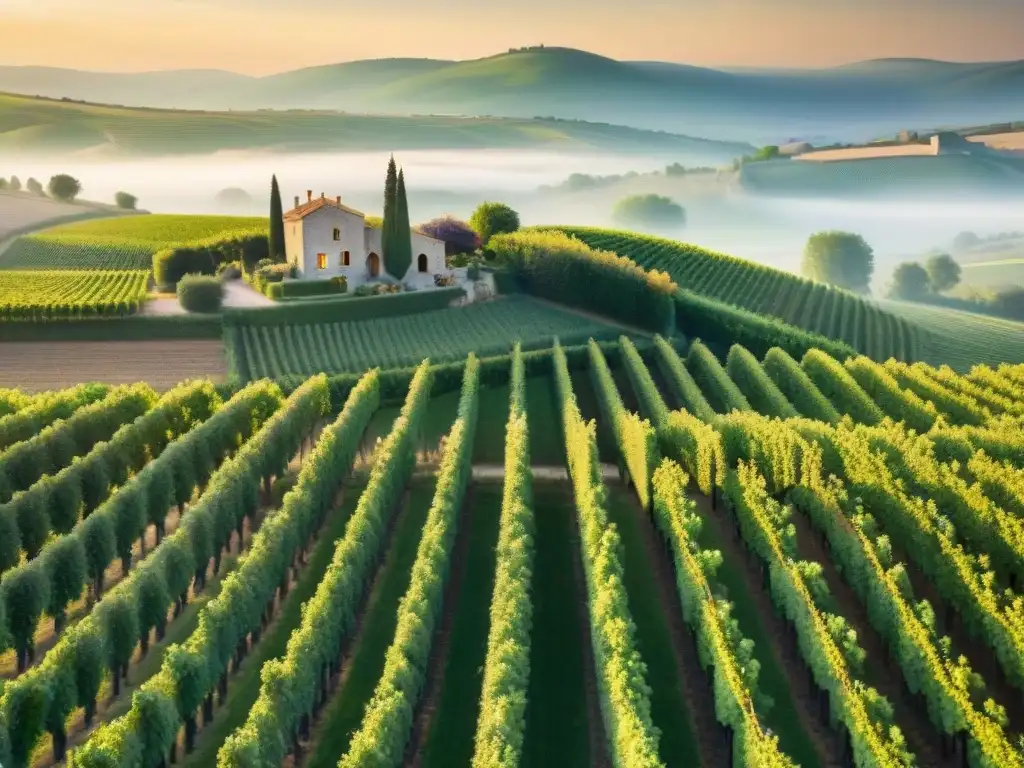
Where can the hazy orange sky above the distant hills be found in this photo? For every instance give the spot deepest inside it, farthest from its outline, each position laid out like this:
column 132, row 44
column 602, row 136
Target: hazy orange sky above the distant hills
column 266, row 36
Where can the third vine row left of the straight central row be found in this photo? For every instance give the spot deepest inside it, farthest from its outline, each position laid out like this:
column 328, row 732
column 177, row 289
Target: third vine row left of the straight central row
column 192, row 673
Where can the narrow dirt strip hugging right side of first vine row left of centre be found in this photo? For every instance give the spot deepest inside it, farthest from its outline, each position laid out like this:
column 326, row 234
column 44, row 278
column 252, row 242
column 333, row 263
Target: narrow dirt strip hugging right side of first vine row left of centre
column 440, row 653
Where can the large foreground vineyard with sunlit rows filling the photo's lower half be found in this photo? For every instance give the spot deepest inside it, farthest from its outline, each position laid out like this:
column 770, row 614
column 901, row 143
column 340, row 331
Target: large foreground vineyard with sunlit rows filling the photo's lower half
column 681, row 561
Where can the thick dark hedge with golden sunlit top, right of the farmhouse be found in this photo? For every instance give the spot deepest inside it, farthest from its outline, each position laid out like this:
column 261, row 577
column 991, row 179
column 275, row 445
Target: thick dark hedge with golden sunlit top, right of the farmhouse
column 561, row 269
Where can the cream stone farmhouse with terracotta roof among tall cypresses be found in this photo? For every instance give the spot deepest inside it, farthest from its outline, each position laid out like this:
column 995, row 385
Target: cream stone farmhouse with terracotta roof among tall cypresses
column 325, row 239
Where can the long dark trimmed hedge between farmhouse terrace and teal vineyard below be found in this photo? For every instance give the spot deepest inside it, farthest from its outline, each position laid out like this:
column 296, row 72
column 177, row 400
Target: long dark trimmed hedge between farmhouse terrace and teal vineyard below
column 347, row 309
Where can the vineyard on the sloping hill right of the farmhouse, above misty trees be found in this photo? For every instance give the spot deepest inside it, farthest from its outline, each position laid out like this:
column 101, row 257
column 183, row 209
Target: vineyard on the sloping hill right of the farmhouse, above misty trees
column 813, row 307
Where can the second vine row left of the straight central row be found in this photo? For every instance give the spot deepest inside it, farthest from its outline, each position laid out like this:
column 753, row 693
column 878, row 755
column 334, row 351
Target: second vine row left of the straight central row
column 291, row 684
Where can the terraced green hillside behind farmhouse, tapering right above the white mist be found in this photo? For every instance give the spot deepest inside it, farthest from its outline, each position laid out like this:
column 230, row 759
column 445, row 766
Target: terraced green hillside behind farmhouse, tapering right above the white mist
column 40, row 125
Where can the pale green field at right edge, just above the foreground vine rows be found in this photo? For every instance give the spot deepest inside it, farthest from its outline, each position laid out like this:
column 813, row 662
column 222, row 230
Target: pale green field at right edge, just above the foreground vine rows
column 963, row 339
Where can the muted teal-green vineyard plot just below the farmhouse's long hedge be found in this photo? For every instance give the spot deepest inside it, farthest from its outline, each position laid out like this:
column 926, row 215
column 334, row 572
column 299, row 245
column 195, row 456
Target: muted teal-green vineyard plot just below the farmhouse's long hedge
column 258, row 351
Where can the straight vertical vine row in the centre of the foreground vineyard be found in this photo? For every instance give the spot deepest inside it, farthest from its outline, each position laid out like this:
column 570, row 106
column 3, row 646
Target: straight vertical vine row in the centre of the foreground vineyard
column 501, row 726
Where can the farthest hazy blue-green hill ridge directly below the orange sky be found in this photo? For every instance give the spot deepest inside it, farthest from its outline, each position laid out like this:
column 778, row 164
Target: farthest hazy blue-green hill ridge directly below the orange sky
column 850, row 103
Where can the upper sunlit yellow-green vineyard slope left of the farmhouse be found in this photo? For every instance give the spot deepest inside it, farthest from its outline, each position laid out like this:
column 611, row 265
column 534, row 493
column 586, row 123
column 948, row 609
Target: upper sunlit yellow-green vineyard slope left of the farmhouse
column 125, row 243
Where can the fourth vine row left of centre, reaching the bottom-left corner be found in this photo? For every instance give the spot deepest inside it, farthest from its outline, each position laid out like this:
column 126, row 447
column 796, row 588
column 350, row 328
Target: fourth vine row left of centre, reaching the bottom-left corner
column 70, row 675
